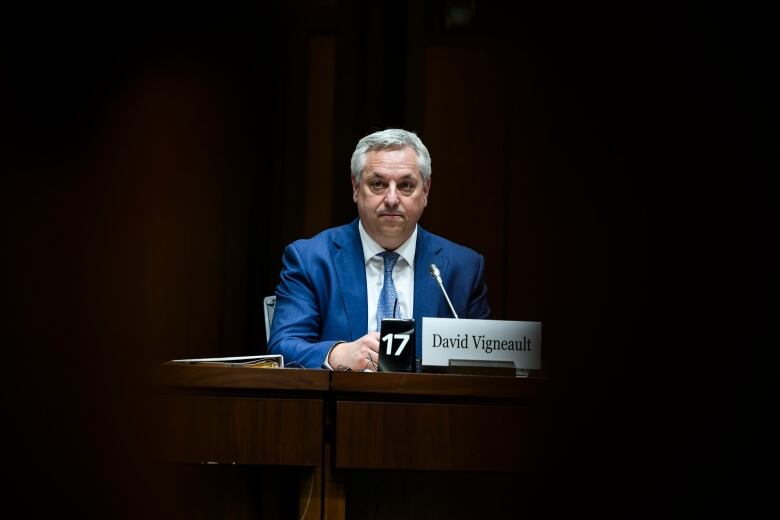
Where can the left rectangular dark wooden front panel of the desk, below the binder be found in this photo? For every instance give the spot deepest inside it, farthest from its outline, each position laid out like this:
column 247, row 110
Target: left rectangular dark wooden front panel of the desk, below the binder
column 233, row 430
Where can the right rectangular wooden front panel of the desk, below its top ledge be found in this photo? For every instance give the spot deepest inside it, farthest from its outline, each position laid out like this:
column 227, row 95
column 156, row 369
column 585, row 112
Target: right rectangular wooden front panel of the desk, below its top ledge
column 431, row 436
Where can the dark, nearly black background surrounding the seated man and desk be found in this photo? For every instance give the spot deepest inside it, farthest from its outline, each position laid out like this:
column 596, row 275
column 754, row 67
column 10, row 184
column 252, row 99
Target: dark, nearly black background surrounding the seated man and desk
column 612, row 163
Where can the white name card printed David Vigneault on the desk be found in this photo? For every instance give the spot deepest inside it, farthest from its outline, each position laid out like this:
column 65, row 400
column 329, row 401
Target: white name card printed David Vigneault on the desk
column 483, row 340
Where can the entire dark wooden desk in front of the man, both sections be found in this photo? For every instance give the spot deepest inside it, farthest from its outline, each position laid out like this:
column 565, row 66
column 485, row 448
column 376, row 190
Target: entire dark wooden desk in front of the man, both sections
column 312, row 443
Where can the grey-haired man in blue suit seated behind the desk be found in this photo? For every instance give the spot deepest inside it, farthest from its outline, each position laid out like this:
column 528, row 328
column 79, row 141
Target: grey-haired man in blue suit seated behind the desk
column 334, row 292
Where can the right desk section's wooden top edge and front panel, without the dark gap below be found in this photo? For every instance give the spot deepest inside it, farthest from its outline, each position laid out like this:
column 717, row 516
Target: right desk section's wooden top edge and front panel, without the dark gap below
column 432, row 421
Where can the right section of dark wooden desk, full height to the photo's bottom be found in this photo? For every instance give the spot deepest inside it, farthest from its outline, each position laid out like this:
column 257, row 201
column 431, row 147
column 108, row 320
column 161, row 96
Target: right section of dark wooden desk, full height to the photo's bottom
column 430, row 445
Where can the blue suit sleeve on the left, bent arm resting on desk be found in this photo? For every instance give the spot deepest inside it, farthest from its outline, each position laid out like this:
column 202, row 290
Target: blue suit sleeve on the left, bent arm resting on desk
column 297, row 322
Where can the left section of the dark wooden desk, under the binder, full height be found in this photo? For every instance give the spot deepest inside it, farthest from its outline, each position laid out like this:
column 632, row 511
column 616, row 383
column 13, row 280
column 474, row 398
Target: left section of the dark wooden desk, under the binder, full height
column 247, row 442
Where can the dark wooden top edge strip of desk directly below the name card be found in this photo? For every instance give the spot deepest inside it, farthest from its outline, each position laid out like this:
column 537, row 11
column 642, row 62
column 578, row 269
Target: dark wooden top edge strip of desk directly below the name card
column 445, row 385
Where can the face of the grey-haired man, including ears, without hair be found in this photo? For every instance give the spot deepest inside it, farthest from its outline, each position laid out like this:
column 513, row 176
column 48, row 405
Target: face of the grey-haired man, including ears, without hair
column 390, row 196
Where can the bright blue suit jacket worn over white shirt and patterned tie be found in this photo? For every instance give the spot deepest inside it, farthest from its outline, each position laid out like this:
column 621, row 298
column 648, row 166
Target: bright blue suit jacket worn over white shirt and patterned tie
column 321, row 298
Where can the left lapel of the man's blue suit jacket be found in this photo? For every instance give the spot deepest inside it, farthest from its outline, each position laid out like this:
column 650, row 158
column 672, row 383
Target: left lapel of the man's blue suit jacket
column 347, row 254
